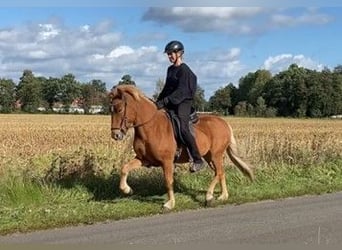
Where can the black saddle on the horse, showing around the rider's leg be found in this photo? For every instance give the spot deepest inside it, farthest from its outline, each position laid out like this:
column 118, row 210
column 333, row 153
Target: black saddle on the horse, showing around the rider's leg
column 176, row 128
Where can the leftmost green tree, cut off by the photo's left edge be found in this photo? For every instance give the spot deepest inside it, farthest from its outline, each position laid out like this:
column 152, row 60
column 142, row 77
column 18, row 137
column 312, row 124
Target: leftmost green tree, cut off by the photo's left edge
column 7, row 95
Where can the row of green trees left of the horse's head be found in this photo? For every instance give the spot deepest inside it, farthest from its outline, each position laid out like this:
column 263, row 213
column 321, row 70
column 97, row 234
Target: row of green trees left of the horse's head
column 34, row 92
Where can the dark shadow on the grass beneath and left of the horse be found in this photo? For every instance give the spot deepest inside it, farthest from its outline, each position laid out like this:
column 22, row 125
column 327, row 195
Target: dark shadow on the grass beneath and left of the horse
column 83, row 170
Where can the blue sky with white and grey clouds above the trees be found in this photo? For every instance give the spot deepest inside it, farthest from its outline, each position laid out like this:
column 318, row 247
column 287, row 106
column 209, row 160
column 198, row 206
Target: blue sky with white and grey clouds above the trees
column 105, row 40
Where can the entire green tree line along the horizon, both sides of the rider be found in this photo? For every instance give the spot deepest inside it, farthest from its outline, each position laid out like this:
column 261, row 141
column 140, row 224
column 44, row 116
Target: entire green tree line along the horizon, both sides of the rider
column 294, row 92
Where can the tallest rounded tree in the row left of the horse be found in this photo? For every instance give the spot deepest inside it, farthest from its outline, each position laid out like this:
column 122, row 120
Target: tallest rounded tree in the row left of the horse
column 29, row 92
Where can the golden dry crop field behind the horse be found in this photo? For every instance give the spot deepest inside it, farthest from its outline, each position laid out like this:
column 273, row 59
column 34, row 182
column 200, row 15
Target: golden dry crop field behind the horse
column 24, row 138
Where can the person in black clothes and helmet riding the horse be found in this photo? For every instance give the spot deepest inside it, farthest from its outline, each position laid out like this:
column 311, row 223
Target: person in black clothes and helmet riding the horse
column 178, row 94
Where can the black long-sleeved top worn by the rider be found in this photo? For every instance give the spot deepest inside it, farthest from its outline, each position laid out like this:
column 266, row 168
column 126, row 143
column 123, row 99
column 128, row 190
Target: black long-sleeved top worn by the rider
column 180, row 85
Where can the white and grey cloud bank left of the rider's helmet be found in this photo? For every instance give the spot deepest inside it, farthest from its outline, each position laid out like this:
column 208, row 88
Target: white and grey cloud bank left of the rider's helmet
column 88, row 51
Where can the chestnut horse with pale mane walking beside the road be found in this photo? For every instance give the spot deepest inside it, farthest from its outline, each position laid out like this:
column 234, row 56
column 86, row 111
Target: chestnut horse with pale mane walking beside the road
column 154, row 142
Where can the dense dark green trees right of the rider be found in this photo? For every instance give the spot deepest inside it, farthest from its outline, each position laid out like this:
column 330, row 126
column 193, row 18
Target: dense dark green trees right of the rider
column 294, row 92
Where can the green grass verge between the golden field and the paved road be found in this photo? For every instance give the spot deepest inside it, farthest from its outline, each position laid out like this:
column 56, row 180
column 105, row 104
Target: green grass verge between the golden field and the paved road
column 29, row 204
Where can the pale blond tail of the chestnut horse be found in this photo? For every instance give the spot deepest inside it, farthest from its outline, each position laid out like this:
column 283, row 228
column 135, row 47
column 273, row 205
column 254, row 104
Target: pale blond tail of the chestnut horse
column 233, row 155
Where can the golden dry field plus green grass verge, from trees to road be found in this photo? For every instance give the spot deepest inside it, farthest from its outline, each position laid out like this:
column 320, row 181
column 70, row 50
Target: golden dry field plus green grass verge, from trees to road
column 67, row 176
